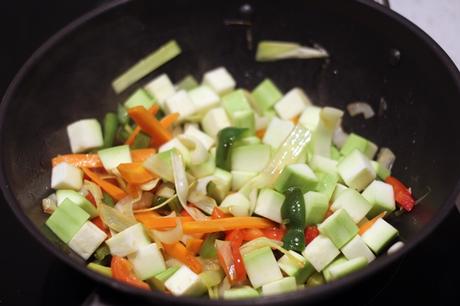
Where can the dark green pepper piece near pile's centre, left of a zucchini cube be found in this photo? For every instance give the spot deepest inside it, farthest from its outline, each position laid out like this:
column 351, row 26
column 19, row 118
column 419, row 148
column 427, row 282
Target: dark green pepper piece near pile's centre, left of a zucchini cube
column 225, row 140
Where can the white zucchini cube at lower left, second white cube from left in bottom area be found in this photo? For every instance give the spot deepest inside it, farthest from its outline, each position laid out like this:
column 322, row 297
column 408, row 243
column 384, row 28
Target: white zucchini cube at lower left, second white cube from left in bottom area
column 128, row 241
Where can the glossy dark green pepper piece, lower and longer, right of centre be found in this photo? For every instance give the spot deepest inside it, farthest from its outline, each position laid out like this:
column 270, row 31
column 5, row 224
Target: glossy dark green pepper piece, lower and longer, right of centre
column 293, row 214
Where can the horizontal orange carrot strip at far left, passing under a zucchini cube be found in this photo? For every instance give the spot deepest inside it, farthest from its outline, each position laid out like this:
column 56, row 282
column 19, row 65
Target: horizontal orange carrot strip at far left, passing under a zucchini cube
column 93, row 161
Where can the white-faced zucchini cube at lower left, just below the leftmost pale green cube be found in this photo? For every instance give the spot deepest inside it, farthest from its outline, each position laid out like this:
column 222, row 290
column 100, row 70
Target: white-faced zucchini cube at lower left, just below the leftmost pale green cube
column 88, row 238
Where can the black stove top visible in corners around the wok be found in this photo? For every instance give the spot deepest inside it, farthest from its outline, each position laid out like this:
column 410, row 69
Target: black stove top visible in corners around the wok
column 32, row 276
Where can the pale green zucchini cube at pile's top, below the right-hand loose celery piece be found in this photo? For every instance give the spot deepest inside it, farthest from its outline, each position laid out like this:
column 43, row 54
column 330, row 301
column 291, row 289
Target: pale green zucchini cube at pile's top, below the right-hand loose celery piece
column 265, row 95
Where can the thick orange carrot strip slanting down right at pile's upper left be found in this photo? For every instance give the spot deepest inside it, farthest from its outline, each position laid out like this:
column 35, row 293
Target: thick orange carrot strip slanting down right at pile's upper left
column 150, row 125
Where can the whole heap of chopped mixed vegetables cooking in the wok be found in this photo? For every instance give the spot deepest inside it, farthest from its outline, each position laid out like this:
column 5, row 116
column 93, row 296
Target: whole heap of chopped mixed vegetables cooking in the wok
column 208, row 189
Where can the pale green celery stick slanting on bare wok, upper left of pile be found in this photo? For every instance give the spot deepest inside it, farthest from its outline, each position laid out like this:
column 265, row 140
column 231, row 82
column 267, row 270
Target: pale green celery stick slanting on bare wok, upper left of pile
column 146, row 65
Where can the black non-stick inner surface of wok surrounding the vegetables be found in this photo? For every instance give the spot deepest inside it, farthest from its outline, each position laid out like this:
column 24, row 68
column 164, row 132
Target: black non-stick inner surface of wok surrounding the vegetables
column 69, row 78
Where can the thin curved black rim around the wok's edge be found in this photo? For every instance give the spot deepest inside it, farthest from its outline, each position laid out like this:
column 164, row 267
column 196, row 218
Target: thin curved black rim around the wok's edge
column 312, row 295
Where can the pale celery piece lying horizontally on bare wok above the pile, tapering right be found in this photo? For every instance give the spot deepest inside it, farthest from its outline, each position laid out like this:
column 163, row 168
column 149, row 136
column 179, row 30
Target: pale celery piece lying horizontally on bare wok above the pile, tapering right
column 276, row 50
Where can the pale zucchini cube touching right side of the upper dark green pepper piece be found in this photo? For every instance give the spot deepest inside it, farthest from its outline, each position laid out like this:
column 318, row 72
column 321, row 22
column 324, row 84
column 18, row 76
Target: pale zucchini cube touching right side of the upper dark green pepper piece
column 251, row 158
